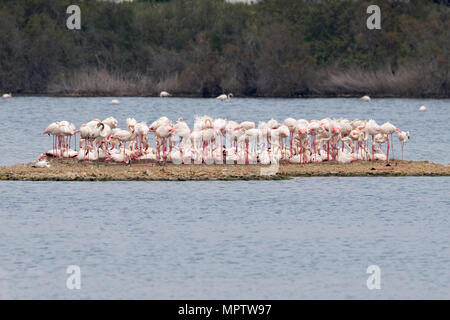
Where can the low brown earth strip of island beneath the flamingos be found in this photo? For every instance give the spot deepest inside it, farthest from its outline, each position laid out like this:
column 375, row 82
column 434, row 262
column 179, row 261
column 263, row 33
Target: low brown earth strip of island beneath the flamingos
column 73, row 170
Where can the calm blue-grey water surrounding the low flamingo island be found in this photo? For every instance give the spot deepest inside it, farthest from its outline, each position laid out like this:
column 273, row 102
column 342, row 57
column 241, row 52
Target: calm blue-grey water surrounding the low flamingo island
column 303, row 238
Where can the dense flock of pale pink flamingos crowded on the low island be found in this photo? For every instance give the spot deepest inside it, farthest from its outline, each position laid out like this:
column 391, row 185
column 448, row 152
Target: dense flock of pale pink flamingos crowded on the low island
column 218, row 141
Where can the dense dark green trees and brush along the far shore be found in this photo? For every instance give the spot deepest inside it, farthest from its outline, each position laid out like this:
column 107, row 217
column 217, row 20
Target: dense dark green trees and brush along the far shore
column 206, row 47
